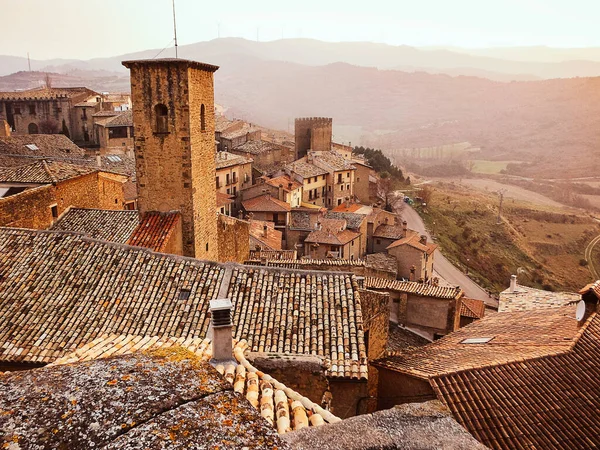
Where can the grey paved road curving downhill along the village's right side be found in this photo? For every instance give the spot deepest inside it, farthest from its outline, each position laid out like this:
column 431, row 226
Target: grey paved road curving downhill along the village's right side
column 445, row 268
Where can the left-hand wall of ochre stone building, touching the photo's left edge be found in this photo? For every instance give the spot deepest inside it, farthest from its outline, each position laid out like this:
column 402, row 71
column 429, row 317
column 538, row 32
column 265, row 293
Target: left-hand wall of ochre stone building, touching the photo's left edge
column 28, row 209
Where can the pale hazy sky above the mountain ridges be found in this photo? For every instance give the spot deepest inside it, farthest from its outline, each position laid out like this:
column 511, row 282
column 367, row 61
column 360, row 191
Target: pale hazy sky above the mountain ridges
column 86, row 29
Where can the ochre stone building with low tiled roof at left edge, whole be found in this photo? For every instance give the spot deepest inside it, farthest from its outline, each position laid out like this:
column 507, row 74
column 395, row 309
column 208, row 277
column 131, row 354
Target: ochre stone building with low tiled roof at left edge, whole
column 35, row 195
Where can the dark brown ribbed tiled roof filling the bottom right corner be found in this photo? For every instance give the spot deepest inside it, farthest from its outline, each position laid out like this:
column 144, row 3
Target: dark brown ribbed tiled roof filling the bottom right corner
column 550, row 402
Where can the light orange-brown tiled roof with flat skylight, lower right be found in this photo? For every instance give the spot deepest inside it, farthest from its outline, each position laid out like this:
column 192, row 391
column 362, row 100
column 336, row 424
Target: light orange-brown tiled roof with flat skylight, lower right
column 515, row 336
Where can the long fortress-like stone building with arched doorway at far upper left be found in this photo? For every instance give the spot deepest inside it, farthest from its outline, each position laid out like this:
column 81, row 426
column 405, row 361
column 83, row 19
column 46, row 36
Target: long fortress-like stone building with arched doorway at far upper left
column 45, row 110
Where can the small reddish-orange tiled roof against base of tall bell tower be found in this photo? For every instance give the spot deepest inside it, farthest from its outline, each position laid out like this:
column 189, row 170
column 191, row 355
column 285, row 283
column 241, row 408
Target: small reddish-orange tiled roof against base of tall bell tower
column 154, row 230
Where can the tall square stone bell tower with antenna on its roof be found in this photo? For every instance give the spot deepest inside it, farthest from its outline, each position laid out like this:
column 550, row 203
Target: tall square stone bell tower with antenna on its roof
column 174, row 128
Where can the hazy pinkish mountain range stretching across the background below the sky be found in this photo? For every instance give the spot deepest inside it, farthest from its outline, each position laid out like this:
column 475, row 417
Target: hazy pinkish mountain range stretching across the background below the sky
column 553, row 123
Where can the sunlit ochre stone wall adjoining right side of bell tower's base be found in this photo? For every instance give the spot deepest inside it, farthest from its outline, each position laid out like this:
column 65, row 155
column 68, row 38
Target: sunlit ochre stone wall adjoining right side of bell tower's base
column 234, row 239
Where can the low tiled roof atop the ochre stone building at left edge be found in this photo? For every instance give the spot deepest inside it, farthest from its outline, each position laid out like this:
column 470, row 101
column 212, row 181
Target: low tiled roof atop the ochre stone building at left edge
column 43, row 172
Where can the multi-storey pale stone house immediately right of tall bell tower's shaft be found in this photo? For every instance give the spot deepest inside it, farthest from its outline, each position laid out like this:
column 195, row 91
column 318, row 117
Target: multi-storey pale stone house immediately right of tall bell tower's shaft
column 233, row 173
